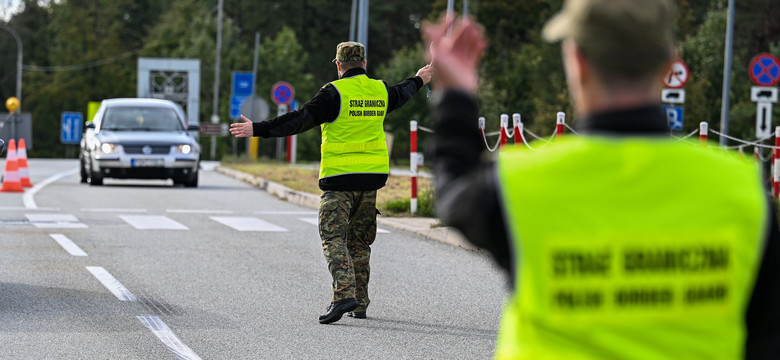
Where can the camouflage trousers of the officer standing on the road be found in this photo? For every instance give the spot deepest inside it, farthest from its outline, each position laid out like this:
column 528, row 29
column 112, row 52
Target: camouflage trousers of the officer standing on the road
column 347, row 223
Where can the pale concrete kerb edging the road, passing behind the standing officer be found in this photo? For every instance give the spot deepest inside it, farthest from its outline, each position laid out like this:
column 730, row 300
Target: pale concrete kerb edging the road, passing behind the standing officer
column 427, row 227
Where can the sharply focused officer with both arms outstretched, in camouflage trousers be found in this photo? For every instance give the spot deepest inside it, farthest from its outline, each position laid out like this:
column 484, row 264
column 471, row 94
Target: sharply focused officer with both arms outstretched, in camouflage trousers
column 353, row 167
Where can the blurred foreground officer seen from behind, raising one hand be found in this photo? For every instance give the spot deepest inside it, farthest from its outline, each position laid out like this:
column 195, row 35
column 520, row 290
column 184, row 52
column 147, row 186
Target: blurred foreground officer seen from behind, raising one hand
column 621, row 242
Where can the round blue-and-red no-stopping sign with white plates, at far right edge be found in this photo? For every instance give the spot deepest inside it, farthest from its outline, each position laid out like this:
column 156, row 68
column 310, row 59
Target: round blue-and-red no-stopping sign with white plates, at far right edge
column 764, row 70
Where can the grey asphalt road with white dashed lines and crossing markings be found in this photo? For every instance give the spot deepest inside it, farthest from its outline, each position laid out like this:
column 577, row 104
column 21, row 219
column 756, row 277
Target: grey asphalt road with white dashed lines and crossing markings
column 145, row 270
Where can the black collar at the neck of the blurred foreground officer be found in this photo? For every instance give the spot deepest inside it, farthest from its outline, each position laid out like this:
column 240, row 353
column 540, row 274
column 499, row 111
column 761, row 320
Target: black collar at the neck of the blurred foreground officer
column 642, row 120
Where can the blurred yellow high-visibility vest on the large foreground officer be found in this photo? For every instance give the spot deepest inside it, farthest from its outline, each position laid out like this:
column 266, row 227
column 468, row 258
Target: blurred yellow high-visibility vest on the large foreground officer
column 629, row 248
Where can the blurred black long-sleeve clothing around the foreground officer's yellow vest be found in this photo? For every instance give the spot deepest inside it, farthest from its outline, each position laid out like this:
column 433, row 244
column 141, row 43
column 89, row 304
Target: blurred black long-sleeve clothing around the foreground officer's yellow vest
column 467, row 198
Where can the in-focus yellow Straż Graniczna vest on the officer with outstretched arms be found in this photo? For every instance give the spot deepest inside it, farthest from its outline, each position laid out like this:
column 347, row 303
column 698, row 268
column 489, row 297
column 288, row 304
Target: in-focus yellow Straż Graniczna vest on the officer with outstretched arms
column 355, row 142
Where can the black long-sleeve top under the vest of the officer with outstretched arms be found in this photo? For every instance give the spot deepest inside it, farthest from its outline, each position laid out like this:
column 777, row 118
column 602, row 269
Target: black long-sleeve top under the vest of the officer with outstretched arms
column 325, row 108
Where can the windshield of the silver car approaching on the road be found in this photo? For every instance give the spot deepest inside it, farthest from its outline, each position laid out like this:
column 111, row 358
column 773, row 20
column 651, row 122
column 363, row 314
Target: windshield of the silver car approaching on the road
column 141, row 119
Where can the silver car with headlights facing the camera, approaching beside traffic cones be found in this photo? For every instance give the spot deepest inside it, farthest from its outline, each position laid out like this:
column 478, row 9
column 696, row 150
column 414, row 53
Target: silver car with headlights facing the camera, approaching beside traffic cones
column 139, row 139
